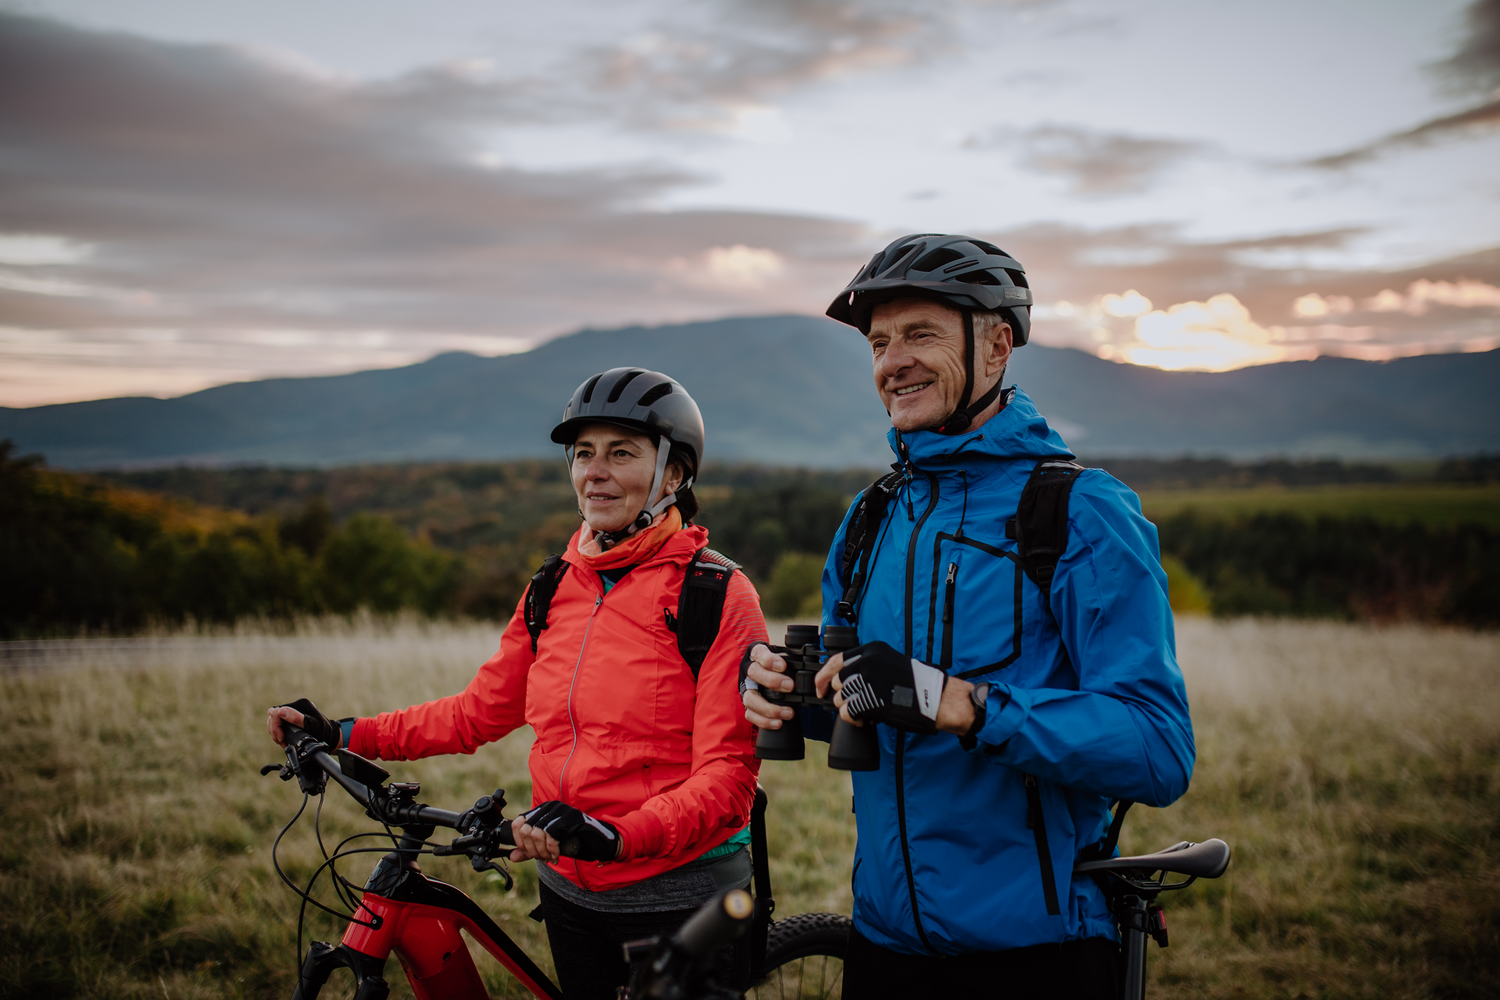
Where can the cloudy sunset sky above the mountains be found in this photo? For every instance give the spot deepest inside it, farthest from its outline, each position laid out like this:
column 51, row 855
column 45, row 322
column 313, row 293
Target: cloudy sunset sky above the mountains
column 194, row 194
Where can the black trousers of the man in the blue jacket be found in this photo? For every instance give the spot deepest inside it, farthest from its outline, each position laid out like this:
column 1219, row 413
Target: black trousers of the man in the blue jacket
column 1075, row 971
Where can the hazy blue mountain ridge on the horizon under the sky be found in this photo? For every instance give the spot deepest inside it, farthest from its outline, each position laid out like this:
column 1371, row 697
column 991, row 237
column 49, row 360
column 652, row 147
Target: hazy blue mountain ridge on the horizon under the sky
column 782, row 391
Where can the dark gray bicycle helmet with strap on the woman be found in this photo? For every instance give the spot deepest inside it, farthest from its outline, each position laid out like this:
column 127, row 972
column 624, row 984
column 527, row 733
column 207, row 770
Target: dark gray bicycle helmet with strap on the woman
column 641, row 401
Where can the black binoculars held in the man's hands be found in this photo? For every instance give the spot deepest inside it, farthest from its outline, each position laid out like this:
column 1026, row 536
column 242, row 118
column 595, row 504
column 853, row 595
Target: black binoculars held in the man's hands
column 853, row 747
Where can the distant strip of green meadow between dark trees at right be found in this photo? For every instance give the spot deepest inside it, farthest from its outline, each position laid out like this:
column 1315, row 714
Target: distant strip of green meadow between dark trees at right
column 1436, row 504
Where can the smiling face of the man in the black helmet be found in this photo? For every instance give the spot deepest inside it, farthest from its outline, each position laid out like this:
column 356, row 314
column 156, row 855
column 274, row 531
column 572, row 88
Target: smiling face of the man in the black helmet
column 917, row 347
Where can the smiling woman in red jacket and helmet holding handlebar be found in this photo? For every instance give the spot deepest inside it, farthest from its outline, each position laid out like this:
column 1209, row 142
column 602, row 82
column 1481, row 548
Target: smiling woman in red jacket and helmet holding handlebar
column 650, row 768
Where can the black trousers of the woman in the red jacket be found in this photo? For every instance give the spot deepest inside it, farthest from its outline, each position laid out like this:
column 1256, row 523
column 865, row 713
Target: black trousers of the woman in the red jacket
column 587, row 945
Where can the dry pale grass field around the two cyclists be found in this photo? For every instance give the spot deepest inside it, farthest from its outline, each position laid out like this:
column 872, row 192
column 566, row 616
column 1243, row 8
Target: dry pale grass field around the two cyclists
column 1355, row 771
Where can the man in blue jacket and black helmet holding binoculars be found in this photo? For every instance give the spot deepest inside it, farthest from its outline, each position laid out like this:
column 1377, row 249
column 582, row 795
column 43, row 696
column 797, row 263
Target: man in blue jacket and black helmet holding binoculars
column 1012, row 713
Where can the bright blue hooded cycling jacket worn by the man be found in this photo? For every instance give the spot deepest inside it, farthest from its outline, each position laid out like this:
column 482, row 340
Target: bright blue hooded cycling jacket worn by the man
column 1087, row 704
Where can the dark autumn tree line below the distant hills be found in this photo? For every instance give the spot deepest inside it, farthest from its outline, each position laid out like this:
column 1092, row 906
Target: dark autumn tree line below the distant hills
column 119, row 552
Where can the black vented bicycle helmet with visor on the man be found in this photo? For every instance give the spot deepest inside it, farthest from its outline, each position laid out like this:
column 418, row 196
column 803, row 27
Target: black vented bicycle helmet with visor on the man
column 959, row 271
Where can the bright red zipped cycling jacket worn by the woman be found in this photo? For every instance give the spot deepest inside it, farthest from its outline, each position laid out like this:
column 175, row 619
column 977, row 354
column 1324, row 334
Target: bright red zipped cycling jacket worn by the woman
column 623, row 732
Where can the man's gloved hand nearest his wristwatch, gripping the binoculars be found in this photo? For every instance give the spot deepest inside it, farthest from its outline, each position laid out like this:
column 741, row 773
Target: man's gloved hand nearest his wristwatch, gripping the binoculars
column 886, row 671
